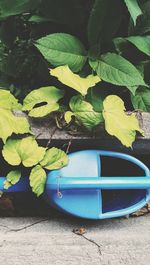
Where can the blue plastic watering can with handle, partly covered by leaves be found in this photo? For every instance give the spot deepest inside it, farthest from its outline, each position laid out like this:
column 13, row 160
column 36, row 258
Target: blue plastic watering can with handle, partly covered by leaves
column 80, row 188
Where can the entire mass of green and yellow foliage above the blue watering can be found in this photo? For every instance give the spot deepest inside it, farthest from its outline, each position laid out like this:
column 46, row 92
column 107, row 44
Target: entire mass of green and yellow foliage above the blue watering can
column 96, row 50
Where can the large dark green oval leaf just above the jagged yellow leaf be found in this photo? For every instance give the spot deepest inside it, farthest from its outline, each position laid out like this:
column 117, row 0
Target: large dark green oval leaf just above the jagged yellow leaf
column 63, row 49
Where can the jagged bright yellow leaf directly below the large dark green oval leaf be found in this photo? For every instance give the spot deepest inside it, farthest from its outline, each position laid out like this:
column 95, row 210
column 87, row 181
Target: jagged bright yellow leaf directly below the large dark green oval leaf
column 68, row 78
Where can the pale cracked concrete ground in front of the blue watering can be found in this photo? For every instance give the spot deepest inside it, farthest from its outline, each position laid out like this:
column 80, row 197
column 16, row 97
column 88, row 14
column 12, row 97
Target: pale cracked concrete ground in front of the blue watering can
column 51, row 240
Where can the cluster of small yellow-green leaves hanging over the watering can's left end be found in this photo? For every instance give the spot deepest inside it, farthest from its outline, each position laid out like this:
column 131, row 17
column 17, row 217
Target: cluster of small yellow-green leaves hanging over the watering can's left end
column 37, row 158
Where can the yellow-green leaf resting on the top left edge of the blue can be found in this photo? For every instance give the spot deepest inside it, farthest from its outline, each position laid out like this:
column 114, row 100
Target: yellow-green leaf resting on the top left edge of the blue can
column 54, row 159
